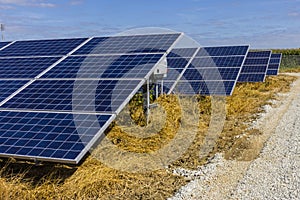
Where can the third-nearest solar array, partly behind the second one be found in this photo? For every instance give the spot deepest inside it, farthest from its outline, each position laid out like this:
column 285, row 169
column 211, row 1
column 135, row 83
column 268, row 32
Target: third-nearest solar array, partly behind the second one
column 255, row 66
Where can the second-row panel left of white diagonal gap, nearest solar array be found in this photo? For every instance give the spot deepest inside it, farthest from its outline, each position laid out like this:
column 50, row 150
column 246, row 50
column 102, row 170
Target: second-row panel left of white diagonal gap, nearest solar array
column 24, row 67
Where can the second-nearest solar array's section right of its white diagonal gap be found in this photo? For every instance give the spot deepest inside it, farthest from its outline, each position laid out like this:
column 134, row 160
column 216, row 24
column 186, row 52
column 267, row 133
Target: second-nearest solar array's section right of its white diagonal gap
column 212, row 71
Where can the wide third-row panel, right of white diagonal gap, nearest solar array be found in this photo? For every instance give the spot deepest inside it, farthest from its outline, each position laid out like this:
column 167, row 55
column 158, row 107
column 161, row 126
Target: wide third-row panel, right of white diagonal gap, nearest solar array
column 71, row 95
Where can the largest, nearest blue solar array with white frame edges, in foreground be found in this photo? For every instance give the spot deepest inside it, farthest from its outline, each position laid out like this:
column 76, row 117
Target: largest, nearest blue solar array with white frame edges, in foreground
column 58, row 96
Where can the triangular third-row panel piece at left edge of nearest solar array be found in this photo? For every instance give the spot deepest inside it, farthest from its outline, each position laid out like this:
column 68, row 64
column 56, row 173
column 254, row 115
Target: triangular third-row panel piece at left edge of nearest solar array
column 7, row 87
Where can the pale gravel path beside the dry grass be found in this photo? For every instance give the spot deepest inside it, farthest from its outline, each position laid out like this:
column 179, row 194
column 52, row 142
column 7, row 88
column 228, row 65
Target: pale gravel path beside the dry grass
column 275, row 174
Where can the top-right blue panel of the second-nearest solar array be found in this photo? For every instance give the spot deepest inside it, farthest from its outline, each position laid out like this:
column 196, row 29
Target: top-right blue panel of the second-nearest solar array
column 223, row 51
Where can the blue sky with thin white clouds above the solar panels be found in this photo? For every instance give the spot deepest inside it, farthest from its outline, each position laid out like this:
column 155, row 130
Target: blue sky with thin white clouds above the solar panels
column 260, row 23
